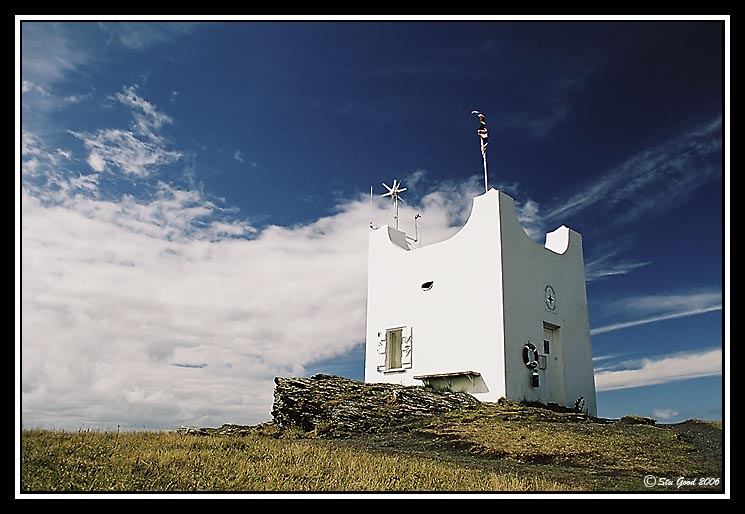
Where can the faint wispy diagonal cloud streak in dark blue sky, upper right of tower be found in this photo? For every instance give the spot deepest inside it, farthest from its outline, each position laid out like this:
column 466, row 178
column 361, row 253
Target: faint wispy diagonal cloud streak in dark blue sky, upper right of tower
column 652, row 180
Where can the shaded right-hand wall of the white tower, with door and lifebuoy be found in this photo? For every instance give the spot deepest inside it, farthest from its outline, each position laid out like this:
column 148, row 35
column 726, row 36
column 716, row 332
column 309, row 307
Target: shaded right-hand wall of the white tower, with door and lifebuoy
column 528, row 268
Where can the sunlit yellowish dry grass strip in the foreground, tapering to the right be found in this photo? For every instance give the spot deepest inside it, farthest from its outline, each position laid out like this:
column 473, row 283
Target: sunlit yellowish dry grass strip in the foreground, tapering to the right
column 161, row 461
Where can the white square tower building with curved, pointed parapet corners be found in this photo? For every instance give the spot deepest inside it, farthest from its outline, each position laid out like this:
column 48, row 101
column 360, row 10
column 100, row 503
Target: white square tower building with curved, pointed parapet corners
column 488, row 311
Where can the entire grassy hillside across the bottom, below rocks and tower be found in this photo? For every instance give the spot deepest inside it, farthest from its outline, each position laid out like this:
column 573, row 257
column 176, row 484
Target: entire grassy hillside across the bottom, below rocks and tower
column 491, row 447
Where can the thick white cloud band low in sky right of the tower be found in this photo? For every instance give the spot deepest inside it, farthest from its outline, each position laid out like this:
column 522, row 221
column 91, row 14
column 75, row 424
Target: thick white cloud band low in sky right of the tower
column 661, row 370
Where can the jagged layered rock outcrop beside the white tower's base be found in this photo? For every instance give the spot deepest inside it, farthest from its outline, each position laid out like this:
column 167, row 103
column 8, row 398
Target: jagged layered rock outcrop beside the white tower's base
column 333, row 406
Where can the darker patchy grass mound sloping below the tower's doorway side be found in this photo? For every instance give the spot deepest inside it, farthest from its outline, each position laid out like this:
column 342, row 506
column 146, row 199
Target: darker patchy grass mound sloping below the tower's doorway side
column 622, row 452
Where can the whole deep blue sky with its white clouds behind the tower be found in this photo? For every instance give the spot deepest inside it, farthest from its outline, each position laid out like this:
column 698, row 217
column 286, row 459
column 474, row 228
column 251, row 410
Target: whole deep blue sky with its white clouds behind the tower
column 194, row 210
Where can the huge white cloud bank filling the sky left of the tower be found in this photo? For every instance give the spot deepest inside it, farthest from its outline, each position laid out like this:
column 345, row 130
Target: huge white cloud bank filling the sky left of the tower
column 155, row 314
